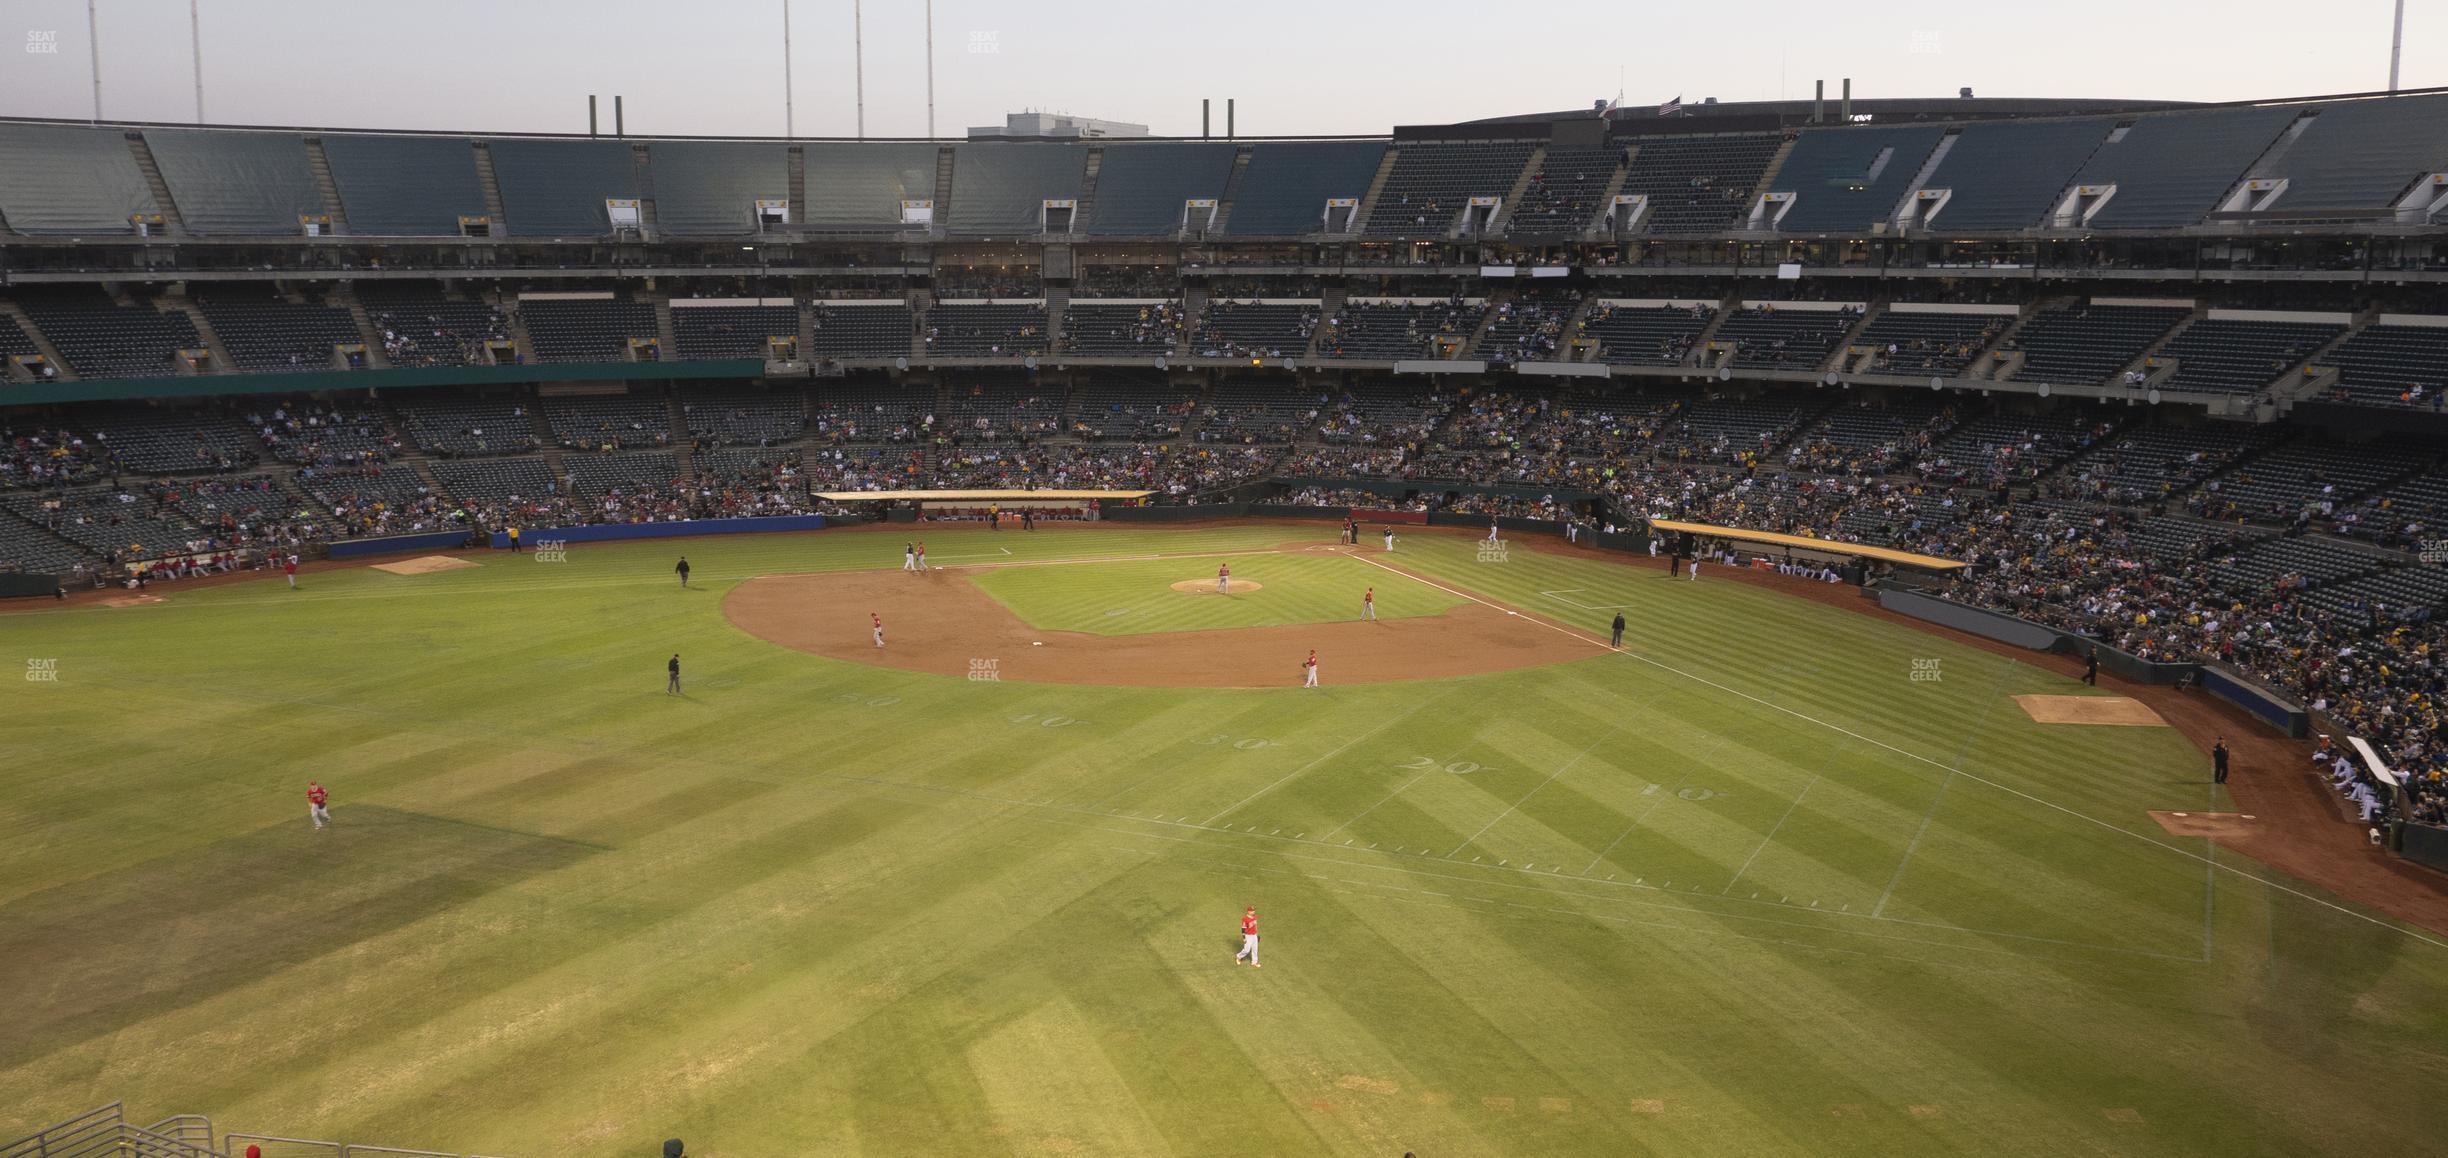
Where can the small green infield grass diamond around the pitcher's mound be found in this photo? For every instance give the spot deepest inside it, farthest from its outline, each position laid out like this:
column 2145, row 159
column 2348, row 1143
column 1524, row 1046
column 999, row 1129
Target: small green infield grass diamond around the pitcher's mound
column 1137, row 596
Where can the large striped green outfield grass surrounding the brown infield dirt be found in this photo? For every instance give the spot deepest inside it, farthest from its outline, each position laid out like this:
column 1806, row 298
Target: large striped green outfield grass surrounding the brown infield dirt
column 1747, row 887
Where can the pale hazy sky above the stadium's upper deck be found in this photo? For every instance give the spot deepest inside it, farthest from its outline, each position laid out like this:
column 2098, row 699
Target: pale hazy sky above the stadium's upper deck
column 1299, row 67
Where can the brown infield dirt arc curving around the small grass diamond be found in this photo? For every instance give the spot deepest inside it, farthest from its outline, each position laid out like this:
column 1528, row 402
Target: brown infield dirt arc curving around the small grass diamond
column 946, row 623
